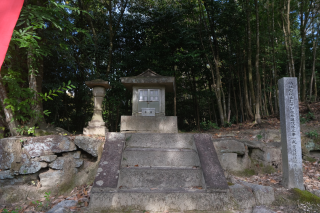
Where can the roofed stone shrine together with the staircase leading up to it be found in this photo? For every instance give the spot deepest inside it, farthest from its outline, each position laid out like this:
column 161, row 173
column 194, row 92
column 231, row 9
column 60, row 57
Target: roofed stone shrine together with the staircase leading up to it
column 149, row 166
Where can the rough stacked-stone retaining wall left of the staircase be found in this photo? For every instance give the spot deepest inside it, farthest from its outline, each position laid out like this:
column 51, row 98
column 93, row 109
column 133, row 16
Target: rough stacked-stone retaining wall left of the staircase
column 51, row 163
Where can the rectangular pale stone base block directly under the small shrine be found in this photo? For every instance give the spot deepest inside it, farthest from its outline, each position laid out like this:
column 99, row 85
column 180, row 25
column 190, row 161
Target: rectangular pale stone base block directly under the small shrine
column 157, row 124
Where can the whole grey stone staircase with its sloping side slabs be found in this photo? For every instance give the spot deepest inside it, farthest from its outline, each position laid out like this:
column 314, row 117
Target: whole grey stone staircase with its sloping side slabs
column 159, row 172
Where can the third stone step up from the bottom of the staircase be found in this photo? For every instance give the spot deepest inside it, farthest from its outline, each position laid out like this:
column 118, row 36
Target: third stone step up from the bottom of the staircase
column 150, row 157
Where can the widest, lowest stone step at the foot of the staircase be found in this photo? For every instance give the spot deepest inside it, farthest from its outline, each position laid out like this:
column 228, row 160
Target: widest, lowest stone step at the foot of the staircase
column 171, row 202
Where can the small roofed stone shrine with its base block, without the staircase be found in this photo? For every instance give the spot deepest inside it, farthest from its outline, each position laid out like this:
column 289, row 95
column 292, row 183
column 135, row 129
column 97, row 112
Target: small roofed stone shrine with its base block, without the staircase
column 148, row 104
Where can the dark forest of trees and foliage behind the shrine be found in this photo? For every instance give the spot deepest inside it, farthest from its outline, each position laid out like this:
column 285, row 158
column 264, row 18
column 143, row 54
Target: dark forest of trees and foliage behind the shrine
column 226, row 57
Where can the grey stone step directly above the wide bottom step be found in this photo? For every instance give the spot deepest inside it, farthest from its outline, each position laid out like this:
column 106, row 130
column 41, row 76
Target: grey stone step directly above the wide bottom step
column 146, row 178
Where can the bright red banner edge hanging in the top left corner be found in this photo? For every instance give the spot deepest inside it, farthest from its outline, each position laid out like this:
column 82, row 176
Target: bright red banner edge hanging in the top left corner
column 9, row 14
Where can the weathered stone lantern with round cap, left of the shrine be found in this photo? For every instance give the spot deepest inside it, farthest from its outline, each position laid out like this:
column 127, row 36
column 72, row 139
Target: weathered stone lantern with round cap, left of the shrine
column 97, row 125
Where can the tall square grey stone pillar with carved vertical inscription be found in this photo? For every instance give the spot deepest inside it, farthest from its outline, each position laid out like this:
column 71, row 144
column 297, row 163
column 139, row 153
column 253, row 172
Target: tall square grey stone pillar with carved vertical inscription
column 292, row 176
